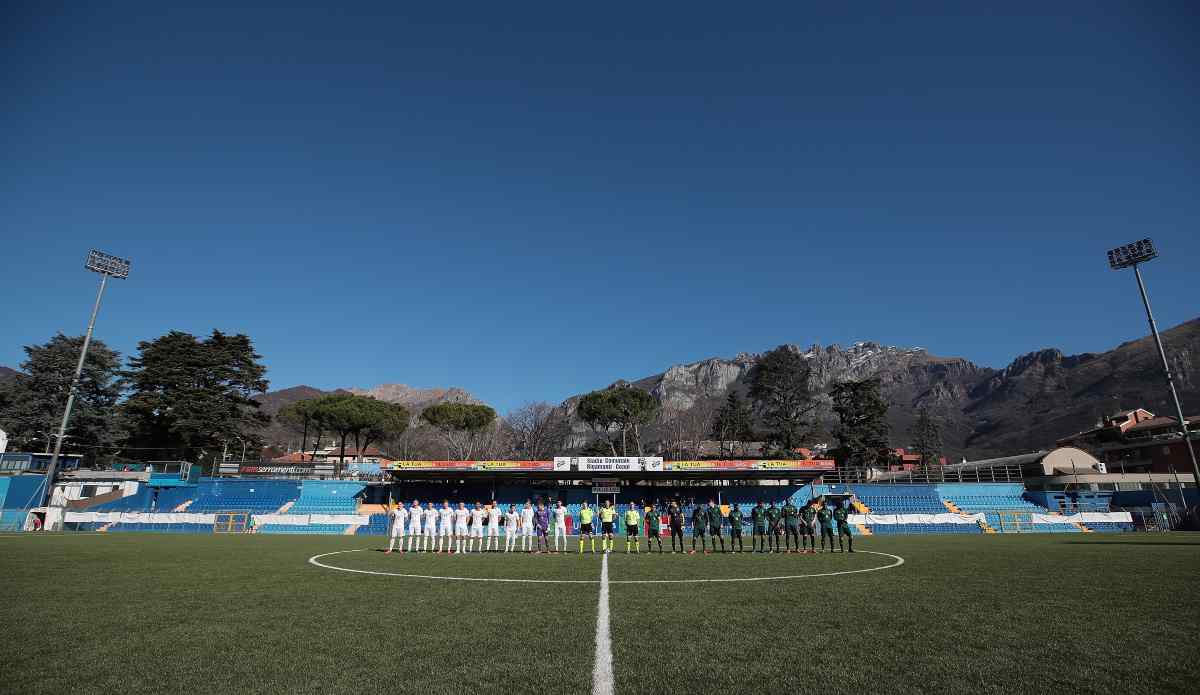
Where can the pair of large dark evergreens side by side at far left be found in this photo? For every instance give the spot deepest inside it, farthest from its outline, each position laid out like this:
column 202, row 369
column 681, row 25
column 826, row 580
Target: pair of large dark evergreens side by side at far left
column 179, row 398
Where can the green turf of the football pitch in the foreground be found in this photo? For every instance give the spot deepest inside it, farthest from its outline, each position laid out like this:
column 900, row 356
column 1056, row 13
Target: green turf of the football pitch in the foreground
column 249, row 614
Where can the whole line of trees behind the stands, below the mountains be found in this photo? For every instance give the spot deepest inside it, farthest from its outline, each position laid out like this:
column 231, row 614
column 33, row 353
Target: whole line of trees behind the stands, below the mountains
column 188, row 398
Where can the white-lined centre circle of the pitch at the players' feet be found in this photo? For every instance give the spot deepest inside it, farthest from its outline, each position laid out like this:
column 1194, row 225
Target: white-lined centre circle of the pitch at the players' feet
column 572, row 568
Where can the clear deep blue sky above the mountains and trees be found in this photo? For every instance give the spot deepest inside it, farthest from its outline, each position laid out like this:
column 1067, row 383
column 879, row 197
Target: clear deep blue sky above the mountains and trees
column 530, row 202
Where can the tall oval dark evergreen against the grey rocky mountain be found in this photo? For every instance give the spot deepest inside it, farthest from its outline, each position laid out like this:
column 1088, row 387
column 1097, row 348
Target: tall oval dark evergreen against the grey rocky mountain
column 779, row 388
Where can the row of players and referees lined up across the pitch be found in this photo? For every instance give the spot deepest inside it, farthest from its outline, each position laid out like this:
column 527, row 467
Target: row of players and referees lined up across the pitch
column 478, row 530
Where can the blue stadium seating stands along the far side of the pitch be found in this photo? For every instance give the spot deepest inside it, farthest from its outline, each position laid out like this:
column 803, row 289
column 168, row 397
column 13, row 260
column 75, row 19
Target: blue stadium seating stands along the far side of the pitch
column 1005, row 507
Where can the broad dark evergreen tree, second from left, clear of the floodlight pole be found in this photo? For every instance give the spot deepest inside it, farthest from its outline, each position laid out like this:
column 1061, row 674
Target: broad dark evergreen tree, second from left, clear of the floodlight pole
column 189, row 397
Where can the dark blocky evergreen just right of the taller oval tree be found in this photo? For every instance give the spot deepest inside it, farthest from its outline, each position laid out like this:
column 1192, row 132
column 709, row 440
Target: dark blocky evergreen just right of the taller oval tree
column 863, row 428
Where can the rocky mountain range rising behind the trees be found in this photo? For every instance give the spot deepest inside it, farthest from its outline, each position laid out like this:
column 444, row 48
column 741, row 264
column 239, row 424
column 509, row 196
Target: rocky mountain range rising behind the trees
column 1040, row 398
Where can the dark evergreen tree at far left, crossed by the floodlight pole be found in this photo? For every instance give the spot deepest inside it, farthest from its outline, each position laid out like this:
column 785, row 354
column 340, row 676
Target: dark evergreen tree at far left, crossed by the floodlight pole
column 34, row 400
